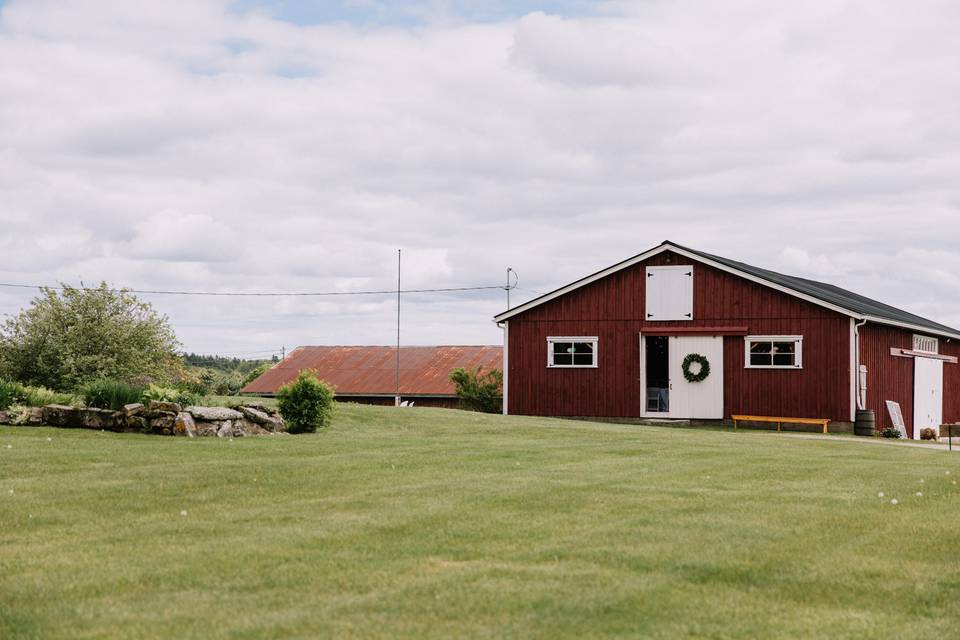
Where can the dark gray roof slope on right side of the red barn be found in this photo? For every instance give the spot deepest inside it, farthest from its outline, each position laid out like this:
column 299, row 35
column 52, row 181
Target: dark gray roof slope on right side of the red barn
column 829, row 293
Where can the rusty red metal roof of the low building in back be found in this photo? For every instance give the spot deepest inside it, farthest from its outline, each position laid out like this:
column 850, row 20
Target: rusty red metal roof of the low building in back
column 424, row 371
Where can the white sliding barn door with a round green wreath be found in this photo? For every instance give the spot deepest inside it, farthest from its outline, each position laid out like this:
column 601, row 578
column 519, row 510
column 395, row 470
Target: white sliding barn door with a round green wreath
column 699, row 400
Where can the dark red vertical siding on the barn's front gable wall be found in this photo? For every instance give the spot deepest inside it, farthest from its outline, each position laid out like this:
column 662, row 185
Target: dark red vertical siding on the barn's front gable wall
column 614, row 309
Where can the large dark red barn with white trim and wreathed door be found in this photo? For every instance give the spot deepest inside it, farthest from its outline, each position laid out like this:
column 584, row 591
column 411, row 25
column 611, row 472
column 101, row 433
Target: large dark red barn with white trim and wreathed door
column 635, row 340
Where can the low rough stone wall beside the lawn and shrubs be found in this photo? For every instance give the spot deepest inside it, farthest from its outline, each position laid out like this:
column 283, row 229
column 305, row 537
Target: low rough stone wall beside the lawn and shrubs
column 161, row 418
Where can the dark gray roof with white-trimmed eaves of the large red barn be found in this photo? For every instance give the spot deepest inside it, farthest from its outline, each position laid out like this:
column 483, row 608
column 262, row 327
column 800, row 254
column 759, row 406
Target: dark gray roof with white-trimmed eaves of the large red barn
column 668, row 246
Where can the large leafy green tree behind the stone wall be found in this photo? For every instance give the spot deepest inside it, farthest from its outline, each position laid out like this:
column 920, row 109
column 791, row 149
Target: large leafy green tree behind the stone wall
column 69, row 337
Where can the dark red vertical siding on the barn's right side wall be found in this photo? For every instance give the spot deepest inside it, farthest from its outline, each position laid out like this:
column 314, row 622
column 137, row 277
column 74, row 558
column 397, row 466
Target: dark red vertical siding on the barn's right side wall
column 891, row 377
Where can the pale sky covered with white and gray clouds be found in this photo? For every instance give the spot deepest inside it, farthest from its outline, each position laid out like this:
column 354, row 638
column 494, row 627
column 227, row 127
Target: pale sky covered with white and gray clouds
column 282, row 146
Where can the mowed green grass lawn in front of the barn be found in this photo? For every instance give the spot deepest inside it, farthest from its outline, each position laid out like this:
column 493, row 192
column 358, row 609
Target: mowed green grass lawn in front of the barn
column 433, row 523
